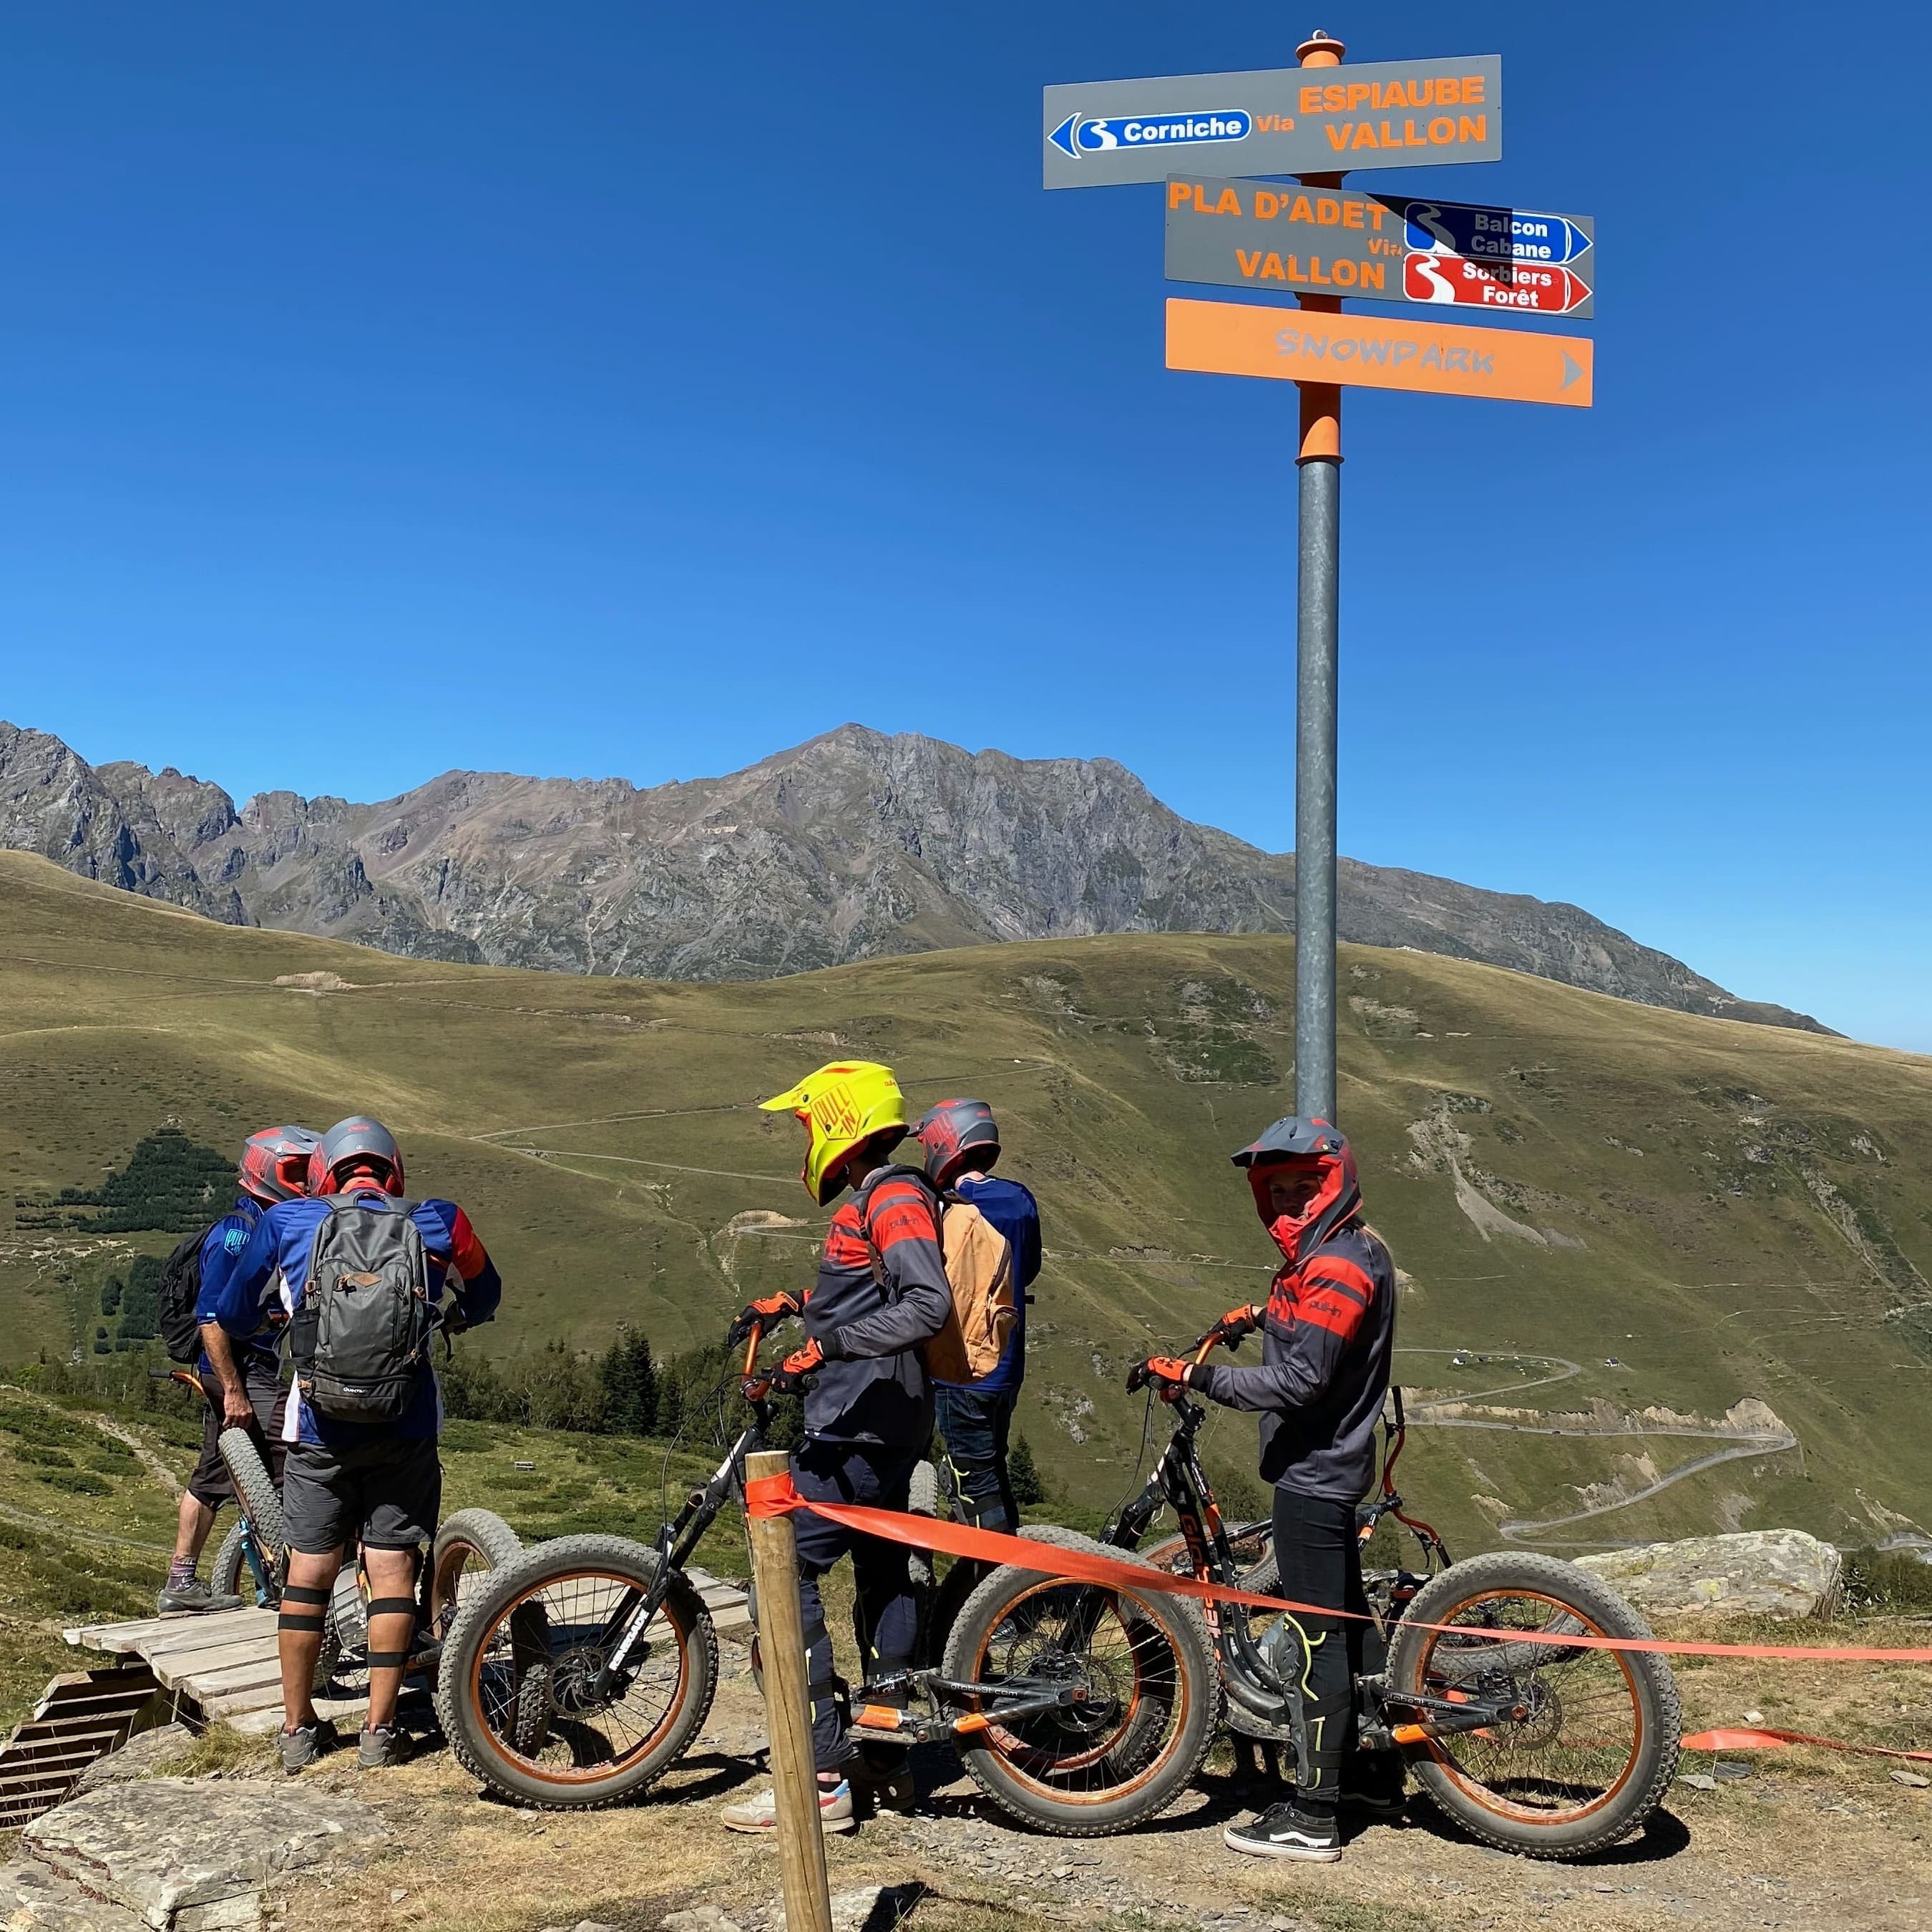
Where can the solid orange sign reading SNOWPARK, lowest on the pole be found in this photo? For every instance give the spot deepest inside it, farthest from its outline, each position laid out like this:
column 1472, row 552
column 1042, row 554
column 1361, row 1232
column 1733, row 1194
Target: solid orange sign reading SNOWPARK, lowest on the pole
column 1378, row 353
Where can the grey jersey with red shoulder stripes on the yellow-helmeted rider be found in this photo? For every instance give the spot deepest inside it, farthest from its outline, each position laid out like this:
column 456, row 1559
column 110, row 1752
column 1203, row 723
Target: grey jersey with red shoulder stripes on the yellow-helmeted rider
column 874, row 1386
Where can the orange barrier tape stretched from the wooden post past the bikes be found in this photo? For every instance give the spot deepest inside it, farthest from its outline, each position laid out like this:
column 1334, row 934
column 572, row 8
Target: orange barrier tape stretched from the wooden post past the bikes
column 776, row 1496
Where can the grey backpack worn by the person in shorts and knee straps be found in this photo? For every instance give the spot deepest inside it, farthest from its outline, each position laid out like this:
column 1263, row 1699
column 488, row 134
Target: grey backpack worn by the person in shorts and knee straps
column 362, row 1330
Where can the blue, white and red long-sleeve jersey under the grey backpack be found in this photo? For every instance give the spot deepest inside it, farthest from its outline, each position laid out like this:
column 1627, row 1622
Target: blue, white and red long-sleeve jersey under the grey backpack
column 285, row 1241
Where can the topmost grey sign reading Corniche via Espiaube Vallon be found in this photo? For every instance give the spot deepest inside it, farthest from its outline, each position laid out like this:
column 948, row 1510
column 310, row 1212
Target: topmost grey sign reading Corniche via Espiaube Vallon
column 1280, row 121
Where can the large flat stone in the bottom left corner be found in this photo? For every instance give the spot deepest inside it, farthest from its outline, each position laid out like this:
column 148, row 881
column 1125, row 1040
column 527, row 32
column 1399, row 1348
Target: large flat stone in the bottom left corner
column 188, row 1856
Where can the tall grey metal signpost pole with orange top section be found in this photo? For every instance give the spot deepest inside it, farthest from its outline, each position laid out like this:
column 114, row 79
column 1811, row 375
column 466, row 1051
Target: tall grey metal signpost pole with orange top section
column 1319, row 652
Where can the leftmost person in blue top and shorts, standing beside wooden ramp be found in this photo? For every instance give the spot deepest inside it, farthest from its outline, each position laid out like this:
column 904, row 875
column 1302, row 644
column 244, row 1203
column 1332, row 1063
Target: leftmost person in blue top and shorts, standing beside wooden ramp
column 242, row 1380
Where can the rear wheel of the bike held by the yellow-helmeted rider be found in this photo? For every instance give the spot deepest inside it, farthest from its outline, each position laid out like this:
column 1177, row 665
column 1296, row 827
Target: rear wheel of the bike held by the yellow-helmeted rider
column 1151, row 1695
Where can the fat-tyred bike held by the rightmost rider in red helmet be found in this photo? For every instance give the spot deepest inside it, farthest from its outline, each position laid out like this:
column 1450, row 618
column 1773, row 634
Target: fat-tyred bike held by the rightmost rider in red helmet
column 1539, row 1747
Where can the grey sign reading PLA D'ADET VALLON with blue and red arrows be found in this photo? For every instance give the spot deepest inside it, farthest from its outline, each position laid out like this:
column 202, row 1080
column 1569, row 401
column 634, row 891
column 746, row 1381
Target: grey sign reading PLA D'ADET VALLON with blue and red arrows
column 1286, row 237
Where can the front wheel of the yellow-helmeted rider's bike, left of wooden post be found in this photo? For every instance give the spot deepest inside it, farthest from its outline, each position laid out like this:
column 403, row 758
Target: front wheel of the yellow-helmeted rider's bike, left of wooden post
column 523, row 1695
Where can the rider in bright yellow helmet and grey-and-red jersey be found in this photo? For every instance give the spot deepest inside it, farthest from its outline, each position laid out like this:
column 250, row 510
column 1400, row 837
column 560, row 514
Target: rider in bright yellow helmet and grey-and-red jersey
column 882, row 1293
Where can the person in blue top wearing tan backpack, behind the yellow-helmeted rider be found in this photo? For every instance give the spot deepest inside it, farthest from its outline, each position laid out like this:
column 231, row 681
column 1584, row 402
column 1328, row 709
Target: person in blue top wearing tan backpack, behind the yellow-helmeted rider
column 961, row 1141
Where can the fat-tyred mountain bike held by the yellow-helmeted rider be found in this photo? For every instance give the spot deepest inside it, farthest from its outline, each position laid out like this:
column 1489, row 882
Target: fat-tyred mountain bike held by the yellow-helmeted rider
column 582, row 1674
